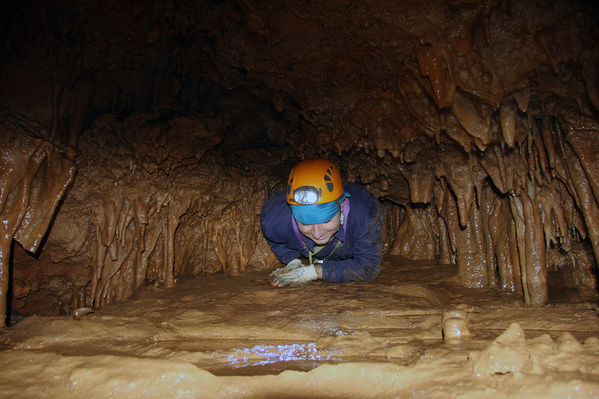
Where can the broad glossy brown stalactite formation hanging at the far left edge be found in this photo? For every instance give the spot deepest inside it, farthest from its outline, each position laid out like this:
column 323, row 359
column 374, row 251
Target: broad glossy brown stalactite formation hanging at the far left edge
column 33, row 178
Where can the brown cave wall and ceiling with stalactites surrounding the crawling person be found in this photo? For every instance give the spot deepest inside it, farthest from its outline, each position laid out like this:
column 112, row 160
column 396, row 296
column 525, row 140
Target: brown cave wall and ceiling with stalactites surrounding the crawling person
column 474, row 122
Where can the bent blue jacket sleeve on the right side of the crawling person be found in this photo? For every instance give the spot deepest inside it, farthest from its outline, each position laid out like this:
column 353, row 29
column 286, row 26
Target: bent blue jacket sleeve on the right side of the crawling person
column 365, row 265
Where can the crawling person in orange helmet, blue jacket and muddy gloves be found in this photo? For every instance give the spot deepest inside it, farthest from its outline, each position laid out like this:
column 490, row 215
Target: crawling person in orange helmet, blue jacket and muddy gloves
column 323, row 228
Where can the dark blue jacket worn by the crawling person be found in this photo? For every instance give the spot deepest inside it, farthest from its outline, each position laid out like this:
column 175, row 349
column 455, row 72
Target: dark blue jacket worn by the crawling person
column 359, row 256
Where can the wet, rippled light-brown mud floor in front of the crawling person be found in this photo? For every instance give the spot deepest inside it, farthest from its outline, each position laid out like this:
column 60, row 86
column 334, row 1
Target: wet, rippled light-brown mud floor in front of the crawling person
column 219, row 336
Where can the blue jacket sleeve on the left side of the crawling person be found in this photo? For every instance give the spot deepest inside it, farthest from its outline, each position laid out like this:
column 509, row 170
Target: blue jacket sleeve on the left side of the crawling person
column 274, row 221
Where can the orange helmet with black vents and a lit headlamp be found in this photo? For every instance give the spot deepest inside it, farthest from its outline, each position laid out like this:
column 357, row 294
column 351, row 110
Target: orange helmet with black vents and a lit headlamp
column 314, row 181
